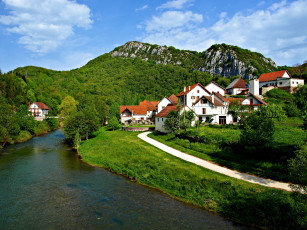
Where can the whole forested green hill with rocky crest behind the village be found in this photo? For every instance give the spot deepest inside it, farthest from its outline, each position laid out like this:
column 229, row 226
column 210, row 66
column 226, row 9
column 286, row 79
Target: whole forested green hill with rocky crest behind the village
column 131, row 73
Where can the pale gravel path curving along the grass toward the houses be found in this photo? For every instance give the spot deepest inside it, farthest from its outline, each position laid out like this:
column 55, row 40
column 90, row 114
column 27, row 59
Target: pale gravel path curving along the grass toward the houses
column 214, row 167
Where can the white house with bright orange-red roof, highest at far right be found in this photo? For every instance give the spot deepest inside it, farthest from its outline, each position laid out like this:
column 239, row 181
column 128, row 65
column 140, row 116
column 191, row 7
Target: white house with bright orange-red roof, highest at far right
column 279, row 79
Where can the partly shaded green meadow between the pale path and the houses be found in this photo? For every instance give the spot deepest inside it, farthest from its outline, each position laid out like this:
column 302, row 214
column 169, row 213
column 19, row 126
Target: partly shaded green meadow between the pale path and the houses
column 221, row 147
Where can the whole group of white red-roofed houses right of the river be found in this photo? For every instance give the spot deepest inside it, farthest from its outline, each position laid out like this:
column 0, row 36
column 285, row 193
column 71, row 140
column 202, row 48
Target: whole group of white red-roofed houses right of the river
column 210, row 103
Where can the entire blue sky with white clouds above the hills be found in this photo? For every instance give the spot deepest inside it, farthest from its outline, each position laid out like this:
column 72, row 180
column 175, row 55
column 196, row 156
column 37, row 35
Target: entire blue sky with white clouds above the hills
column 66, row 34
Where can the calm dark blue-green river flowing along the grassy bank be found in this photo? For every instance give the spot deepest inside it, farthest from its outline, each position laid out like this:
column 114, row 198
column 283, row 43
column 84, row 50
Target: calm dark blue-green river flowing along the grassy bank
column 43, row 185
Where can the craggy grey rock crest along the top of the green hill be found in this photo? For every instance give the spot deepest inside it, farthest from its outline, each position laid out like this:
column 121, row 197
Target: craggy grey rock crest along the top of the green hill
column 220, row 59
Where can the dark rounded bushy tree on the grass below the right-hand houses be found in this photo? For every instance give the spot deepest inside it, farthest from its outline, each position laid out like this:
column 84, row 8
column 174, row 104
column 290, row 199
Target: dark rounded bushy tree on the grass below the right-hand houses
column 258, row 130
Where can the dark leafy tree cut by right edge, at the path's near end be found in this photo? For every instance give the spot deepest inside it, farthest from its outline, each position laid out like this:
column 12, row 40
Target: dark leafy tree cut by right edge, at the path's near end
column 298, row 169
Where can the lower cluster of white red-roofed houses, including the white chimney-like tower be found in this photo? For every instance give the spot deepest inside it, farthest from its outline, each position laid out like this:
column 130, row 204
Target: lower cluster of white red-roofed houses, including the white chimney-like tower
column 208, row 103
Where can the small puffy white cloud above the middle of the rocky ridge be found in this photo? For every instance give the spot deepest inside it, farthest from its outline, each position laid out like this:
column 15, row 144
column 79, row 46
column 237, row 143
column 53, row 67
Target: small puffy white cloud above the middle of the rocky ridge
column 172, row 19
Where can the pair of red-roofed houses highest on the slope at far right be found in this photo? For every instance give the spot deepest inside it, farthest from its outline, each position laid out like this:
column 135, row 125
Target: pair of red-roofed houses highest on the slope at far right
column 266, row 82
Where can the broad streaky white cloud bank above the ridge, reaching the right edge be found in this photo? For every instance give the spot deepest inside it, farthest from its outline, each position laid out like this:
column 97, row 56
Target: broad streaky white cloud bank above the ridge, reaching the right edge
column 278, row 32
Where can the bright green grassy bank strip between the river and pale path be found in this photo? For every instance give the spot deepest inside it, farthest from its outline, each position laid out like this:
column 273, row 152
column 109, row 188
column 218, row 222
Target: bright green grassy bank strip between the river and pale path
column 124, row 153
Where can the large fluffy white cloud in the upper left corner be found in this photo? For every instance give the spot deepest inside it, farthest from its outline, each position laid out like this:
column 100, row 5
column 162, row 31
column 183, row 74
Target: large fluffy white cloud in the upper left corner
column 44, row 24
